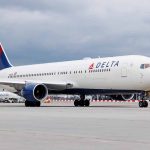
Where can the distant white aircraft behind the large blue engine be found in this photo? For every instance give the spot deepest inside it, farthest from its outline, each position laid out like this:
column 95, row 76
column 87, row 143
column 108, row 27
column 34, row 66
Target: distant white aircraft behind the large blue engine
column 8, row 96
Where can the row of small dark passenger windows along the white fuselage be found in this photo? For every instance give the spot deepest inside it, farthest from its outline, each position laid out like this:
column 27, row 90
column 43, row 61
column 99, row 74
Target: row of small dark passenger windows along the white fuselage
column 59, row 73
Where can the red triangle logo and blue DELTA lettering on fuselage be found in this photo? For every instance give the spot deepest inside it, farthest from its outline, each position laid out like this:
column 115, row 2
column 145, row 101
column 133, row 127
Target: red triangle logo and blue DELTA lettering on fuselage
column 105, row 64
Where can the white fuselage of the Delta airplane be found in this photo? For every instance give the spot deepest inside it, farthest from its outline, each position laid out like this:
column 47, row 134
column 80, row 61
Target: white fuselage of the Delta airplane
column 112, row 73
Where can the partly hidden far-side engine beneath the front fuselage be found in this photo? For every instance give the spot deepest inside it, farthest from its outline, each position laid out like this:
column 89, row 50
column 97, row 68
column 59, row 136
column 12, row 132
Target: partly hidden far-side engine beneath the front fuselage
column 123, row 97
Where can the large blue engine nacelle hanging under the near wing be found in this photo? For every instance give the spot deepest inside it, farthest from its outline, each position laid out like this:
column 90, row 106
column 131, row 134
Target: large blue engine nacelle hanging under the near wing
column 34, row 92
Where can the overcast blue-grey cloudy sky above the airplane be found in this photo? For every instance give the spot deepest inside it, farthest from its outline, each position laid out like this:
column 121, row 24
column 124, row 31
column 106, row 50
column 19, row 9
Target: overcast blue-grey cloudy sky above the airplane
column 39, row 31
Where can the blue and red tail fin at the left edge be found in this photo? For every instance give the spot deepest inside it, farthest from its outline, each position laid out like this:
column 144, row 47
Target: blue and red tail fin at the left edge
column 4, row 62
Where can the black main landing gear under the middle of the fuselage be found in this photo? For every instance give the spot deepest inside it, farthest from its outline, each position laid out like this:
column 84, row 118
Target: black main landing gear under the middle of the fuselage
column 82, row 102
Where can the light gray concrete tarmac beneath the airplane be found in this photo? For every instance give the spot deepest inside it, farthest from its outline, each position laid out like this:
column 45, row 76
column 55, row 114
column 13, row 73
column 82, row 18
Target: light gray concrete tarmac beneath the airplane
column 60, row 126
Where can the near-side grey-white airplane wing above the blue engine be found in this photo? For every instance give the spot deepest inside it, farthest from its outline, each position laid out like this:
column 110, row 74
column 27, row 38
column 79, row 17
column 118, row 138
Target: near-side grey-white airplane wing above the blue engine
column 18, row 85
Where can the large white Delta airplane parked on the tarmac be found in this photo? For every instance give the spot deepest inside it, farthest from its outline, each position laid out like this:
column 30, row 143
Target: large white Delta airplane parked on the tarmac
column 120, row 75
